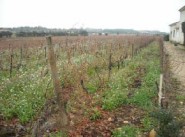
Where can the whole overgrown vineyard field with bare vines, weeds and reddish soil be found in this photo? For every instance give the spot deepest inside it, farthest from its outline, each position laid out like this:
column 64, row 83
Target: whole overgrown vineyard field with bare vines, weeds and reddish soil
column 108, row 85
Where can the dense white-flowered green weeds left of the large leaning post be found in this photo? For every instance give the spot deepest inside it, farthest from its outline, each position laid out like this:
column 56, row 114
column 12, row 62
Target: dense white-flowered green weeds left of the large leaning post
column 22, row 98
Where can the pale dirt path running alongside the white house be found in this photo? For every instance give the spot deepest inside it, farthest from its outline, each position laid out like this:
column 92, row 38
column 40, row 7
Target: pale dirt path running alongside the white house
column 177, row 68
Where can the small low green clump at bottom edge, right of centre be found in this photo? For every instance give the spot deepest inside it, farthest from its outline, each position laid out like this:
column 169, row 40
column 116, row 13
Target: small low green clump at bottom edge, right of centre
column 126, row 131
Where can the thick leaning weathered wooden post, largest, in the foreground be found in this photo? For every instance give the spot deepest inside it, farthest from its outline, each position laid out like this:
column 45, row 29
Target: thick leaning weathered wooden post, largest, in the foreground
column 56, row 83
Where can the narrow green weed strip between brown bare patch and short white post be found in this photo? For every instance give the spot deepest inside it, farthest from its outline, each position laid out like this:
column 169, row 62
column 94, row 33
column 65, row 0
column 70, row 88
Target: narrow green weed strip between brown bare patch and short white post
column 143, row 95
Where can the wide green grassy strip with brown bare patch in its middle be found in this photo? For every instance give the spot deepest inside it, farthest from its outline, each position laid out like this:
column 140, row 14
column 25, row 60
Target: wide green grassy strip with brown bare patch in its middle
column 143, row 68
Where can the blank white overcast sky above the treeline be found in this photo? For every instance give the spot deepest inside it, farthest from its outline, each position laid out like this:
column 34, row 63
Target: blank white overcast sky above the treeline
column 128, row 14
